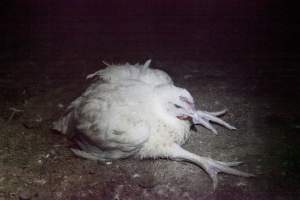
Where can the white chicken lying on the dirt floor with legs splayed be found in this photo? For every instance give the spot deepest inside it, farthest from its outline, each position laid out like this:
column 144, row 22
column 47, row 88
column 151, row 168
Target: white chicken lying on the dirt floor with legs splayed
column 133, row 110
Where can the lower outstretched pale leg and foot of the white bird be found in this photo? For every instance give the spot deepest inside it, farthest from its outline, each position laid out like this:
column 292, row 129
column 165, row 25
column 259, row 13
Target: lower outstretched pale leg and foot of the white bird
column 211, row 167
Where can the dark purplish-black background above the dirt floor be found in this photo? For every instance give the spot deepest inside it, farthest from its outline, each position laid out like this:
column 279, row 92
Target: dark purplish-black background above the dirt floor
column 202, row 29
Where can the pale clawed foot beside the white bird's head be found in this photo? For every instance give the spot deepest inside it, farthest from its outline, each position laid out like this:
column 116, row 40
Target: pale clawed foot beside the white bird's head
column 204, row 118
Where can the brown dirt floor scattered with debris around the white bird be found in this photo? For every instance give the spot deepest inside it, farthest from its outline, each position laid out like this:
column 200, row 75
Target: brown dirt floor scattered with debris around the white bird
column 261, row 95
